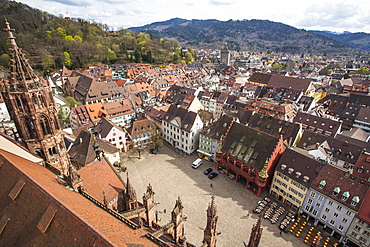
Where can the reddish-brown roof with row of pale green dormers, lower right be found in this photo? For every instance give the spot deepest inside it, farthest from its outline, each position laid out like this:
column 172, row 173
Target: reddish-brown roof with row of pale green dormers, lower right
column 335, row 177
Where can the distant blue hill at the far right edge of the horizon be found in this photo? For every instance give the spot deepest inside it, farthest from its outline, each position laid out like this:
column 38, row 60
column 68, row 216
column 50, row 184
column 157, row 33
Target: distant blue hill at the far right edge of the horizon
column 359, row 41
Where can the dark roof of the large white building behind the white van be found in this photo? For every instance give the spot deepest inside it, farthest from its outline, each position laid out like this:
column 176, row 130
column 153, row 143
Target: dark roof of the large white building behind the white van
column 186, row 118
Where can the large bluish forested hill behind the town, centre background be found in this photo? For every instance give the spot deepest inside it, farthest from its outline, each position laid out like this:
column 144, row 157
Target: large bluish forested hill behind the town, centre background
column 255, row 35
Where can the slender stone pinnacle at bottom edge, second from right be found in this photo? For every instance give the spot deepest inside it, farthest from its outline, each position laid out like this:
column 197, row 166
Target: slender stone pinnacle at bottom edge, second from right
column 209, row 238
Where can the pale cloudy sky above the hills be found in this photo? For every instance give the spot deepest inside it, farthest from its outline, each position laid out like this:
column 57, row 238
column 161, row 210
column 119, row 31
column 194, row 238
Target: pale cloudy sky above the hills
column 330, row 15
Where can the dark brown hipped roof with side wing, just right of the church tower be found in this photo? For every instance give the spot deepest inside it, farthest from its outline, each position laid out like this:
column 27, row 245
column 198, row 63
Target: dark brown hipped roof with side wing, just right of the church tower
column 82, row 151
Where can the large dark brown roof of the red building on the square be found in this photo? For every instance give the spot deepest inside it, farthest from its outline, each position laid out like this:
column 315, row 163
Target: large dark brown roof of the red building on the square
column 249, row 145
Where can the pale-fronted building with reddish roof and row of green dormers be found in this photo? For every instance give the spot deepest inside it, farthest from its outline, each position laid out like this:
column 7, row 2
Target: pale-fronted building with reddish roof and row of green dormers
column 334, row 199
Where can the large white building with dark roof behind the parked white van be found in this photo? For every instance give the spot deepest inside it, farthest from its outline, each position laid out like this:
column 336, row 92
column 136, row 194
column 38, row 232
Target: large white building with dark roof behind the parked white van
column 181, row 128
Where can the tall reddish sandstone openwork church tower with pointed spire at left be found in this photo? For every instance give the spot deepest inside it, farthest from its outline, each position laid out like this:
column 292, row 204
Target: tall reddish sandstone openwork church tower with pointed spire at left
column 32, row 108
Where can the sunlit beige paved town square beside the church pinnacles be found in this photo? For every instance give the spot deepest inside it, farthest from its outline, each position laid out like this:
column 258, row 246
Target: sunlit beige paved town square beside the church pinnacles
column 171, row 176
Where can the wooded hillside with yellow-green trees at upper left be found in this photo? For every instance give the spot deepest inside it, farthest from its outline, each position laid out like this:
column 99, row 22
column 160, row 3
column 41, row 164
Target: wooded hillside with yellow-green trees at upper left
column 50, row 41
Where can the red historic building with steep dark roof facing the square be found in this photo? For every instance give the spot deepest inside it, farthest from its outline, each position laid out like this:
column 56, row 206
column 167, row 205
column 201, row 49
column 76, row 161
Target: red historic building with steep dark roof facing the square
column 250, row 155
